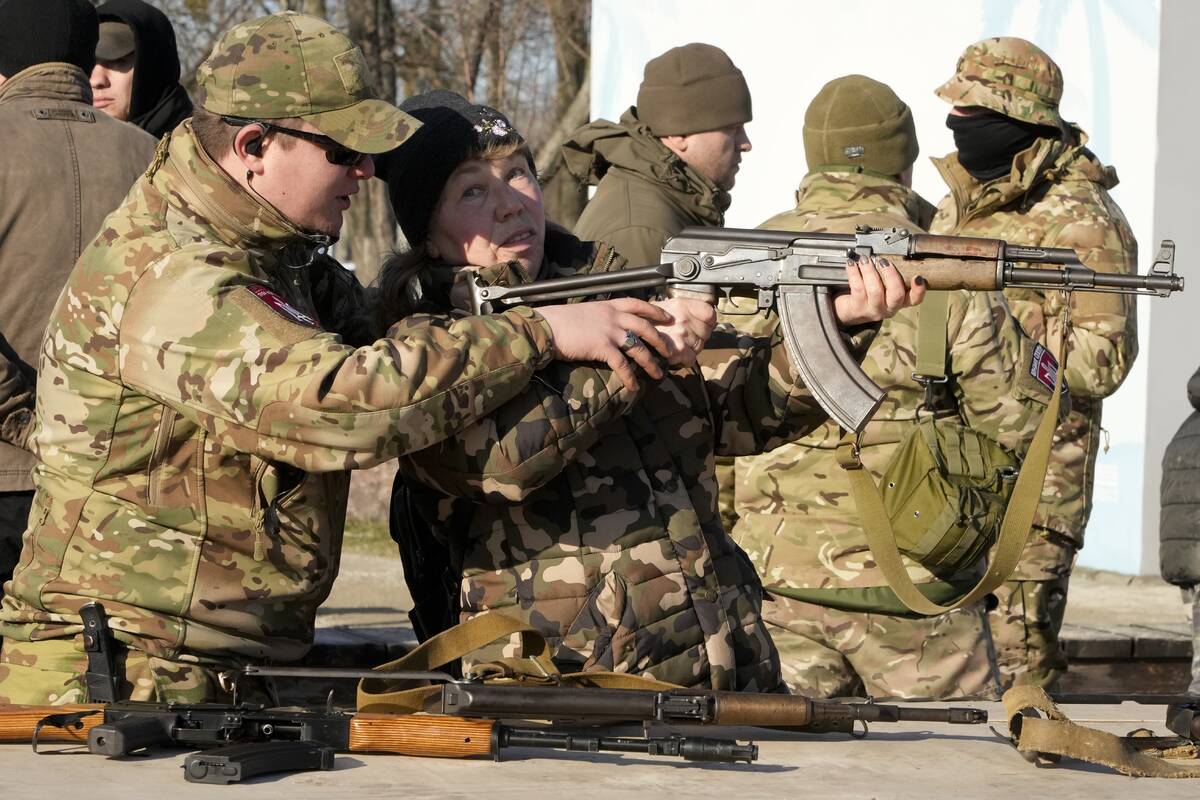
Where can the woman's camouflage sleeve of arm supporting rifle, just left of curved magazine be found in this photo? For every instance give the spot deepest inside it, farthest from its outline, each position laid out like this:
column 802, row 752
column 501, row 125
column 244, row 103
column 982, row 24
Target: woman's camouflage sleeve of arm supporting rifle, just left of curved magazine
column 757, row 398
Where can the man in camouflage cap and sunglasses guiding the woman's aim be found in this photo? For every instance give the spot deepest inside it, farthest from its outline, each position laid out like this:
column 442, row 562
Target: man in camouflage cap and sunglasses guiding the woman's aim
column 197, row 419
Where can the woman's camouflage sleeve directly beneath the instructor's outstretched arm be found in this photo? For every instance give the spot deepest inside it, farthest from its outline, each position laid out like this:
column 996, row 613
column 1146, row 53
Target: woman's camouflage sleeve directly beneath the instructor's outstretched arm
column 527, row 442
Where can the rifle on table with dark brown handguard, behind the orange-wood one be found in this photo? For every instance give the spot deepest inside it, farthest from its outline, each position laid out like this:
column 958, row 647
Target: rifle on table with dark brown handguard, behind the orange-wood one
column 472, row 699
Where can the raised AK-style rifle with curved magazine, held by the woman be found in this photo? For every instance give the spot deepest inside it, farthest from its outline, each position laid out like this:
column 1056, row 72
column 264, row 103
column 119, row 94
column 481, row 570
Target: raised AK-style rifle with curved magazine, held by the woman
column 796, row 274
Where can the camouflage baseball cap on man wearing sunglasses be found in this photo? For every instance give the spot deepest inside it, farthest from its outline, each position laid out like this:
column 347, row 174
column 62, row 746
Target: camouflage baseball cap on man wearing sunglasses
column 293, row 65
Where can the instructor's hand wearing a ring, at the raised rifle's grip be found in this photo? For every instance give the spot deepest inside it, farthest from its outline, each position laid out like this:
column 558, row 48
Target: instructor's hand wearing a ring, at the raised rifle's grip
column 601, row 332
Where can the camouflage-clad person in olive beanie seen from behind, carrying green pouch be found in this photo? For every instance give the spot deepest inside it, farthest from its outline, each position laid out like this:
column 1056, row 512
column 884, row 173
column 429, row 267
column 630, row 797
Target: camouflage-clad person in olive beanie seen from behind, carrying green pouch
column 795, row 516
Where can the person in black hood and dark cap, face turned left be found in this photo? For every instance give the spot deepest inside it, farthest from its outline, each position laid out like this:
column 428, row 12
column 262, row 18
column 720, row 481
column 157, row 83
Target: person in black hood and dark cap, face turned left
column 137, row 68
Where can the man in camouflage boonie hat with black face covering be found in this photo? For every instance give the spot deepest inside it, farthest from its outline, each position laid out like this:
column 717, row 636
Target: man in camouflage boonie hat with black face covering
column 1025, row 176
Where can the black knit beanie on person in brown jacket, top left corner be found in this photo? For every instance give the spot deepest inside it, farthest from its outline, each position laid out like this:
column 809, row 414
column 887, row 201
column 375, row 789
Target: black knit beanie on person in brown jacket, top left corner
column 43, row 32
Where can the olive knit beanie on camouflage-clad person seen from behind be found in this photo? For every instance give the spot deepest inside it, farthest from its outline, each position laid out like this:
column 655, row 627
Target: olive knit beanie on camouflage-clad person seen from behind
column 855, row 122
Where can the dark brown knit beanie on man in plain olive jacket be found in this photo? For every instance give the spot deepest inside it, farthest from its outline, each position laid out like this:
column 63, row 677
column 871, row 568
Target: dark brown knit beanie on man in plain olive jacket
column 692, row 89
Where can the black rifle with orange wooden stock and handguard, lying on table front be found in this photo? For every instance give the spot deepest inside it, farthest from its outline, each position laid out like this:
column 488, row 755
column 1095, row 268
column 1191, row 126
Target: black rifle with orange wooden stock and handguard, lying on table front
column 254, row 739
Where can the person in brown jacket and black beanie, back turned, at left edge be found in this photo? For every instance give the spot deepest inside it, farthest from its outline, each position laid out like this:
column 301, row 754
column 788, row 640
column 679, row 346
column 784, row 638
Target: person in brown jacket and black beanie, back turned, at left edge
column 63, row 169
